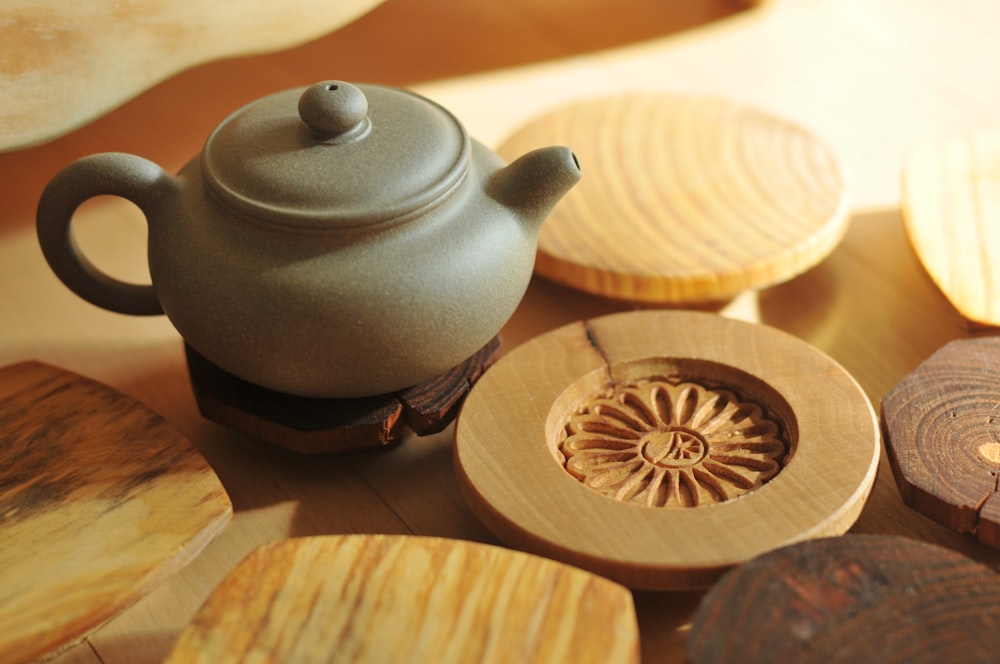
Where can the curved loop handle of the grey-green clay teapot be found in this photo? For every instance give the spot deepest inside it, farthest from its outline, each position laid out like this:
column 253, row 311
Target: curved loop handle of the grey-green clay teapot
column 128, row 176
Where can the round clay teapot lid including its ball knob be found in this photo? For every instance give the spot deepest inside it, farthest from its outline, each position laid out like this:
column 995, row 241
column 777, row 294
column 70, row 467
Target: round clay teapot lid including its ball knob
column 336, row 155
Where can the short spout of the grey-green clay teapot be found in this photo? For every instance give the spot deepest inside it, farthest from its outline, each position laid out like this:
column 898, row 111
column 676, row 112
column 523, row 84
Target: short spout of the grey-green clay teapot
column 531, row 185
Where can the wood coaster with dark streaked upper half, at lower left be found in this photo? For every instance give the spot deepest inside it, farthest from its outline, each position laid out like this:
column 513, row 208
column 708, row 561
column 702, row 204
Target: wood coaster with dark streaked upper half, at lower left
column 100, row 501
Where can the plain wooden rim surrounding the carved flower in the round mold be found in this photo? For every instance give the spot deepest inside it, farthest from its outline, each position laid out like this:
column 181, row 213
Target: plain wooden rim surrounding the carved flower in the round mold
column 510, row 472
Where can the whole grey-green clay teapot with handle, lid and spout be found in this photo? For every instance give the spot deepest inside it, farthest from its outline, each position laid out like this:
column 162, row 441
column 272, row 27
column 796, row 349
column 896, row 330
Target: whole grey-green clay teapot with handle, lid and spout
column 335, row 241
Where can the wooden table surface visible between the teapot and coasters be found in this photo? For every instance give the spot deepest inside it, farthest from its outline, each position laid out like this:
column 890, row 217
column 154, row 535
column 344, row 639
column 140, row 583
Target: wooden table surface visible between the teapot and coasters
column 870, row 78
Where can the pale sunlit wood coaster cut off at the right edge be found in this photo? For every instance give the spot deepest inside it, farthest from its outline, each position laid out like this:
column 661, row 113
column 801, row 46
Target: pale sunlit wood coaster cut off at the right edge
column 951, row 204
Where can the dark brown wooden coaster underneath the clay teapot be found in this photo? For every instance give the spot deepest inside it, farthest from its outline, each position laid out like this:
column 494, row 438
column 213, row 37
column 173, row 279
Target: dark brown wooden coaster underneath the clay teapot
column 319, row 426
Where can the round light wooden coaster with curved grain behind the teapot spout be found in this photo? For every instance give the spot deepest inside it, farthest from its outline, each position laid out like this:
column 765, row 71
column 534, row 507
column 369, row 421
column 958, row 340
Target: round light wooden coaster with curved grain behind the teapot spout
column 684, row 199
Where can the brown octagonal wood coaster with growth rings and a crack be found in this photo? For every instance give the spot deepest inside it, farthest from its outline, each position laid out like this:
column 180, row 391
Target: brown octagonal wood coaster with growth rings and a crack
column 942, row 435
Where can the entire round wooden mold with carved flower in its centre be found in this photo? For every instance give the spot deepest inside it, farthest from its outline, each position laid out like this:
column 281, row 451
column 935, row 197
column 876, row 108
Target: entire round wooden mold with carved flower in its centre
column 660, row 448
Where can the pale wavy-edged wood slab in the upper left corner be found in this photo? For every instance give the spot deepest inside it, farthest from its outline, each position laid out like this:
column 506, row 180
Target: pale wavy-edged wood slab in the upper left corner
column 63, row 64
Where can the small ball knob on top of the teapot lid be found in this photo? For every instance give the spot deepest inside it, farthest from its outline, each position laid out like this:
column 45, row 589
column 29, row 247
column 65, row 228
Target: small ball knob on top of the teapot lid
column 334, row 109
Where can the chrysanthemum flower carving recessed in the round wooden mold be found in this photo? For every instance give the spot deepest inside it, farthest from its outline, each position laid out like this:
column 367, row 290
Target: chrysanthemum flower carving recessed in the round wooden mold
column 662, row 444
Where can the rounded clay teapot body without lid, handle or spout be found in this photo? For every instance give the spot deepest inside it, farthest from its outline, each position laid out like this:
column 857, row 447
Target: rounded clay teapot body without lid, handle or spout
column 339, row 312
